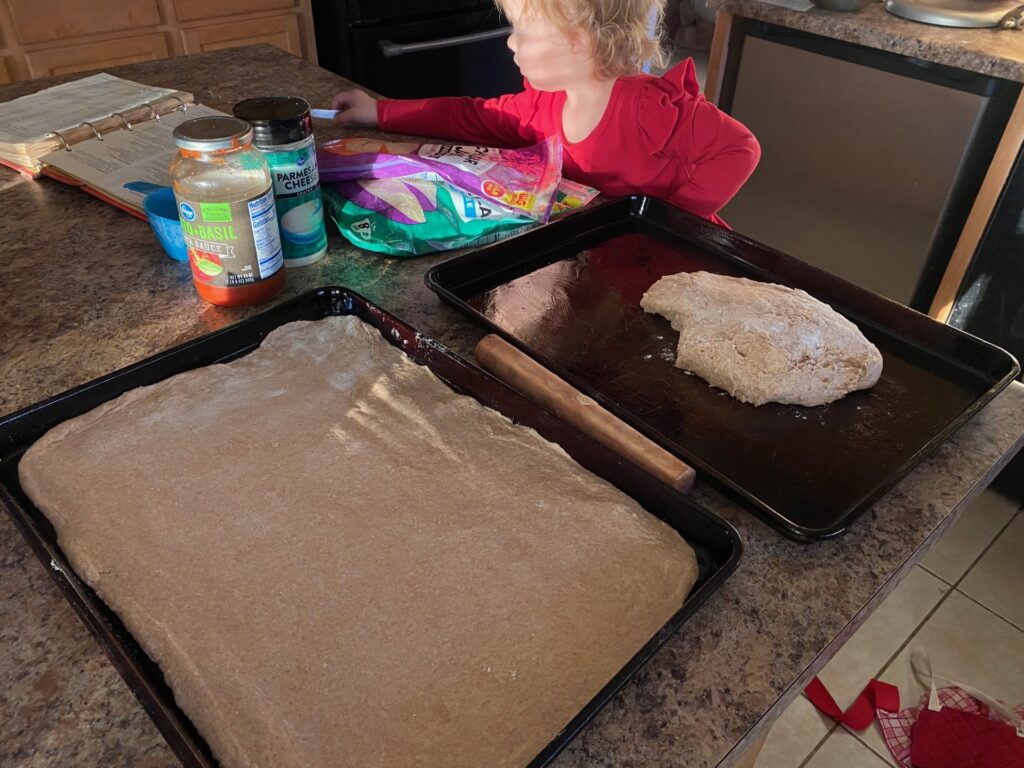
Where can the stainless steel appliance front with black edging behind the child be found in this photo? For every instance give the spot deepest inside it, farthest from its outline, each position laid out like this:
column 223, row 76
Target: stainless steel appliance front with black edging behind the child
column 870, row 161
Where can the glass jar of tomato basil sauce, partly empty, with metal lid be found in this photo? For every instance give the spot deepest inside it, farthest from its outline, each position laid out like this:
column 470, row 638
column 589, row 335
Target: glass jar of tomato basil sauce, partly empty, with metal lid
column 226, row 204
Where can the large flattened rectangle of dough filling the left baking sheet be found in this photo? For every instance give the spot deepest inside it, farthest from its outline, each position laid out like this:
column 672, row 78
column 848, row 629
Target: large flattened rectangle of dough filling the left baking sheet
column 337, row 562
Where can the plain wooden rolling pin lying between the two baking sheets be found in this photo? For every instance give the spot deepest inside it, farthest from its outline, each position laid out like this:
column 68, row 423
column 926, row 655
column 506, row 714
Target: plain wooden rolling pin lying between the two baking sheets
column 569, row 404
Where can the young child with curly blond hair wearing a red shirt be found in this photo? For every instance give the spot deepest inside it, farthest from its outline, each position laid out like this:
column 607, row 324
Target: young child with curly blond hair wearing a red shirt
column 622, row 132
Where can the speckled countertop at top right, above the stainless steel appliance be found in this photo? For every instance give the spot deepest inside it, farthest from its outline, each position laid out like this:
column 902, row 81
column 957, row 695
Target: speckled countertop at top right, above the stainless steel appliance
column 990, row 52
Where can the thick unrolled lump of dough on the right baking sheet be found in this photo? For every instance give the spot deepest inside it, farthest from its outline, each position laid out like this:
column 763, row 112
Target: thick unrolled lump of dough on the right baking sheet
column 762, row 343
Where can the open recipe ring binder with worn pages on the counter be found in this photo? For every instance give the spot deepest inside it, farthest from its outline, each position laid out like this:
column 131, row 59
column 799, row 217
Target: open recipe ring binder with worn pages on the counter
column 102, row 134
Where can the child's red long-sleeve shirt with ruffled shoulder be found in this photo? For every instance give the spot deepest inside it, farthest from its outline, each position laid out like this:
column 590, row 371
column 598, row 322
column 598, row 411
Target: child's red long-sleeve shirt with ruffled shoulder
column 658, row 137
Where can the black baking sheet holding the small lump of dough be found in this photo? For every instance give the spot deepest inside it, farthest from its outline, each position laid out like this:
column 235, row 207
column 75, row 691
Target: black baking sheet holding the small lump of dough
column 570, row 294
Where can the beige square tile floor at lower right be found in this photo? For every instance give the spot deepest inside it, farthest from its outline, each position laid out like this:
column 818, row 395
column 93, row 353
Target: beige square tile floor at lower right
column 964, row 604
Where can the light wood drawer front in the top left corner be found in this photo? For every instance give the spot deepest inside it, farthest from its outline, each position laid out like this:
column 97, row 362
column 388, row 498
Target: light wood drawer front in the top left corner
column 47, row 21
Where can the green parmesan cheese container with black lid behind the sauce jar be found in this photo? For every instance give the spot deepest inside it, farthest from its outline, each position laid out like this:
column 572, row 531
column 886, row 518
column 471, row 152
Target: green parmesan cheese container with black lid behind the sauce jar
column 284, row 133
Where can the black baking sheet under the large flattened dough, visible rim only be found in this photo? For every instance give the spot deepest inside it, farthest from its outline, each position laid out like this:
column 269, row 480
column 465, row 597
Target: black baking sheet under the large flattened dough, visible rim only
column 715, row 542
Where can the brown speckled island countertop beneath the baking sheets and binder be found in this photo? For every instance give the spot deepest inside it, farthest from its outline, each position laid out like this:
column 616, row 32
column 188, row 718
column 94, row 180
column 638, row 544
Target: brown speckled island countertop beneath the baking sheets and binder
column 86, row 290
